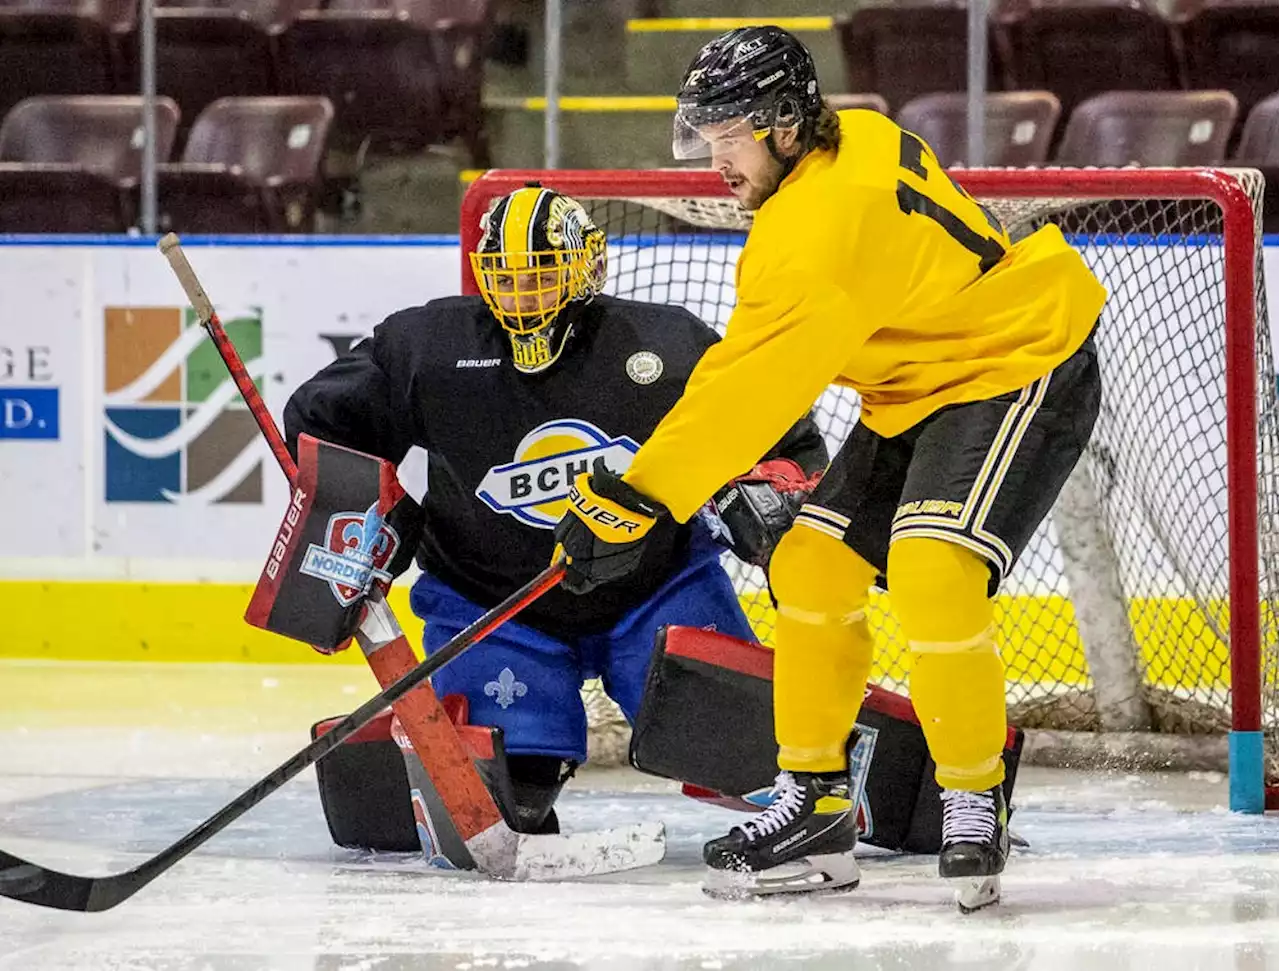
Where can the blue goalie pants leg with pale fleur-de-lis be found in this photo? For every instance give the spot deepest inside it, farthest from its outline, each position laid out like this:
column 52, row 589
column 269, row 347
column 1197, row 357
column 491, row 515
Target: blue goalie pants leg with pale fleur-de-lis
column 518, row 680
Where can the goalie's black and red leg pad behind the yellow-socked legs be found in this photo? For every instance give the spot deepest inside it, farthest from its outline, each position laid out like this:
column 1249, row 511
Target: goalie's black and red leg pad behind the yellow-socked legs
column 707, row 721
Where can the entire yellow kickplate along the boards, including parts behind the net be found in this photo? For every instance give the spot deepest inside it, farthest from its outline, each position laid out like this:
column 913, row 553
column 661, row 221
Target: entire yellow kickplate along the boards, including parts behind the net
column 1037, row 634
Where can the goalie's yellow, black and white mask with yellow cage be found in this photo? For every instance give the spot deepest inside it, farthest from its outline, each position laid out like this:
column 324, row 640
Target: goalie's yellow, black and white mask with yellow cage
column 540, row 255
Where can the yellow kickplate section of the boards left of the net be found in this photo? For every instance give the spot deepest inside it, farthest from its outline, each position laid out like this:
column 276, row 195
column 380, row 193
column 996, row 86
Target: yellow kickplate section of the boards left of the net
column 156, row 622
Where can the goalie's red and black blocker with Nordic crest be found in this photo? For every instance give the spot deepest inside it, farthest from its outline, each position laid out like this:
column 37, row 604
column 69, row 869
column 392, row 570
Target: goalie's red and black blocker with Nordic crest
column 349, row 526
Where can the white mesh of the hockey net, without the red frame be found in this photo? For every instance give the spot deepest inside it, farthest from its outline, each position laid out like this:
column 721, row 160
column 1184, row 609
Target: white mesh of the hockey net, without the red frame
column 1140, row 537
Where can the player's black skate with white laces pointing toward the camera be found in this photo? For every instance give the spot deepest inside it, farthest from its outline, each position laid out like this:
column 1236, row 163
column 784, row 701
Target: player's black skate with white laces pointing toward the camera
column 975, row 845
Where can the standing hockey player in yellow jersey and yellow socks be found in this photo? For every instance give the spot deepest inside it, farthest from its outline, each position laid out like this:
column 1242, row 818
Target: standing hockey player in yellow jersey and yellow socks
column 866, row 267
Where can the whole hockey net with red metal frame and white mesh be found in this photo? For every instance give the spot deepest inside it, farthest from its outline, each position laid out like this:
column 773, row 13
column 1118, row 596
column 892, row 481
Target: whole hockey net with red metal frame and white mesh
column 1150, row 592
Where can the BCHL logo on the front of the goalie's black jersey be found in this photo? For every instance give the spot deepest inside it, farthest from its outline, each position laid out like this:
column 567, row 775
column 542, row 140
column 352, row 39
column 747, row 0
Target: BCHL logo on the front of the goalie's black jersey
column 536, row 487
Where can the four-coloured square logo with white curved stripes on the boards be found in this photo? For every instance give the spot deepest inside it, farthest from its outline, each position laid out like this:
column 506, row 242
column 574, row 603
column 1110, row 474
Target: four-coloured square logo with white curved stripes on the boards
column 176, row 428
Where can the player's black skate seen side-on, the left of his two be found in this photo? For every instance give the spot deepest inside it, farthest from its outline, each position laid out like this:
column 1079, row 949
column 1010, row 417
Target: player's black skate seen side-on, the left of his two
column 802, row 844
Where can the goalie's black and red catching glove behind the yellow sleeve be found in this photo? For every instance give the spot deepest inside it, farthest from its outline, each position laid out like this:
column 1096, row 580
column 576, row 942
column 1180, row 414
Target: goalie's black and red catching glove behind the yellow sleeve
column 751, row 514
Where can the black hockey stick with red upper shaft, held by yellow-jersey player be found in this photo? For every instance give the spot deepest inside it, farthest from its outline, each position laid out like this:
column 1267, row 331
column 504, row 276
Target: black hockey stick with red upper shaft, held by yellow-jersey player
column 24, row 881
